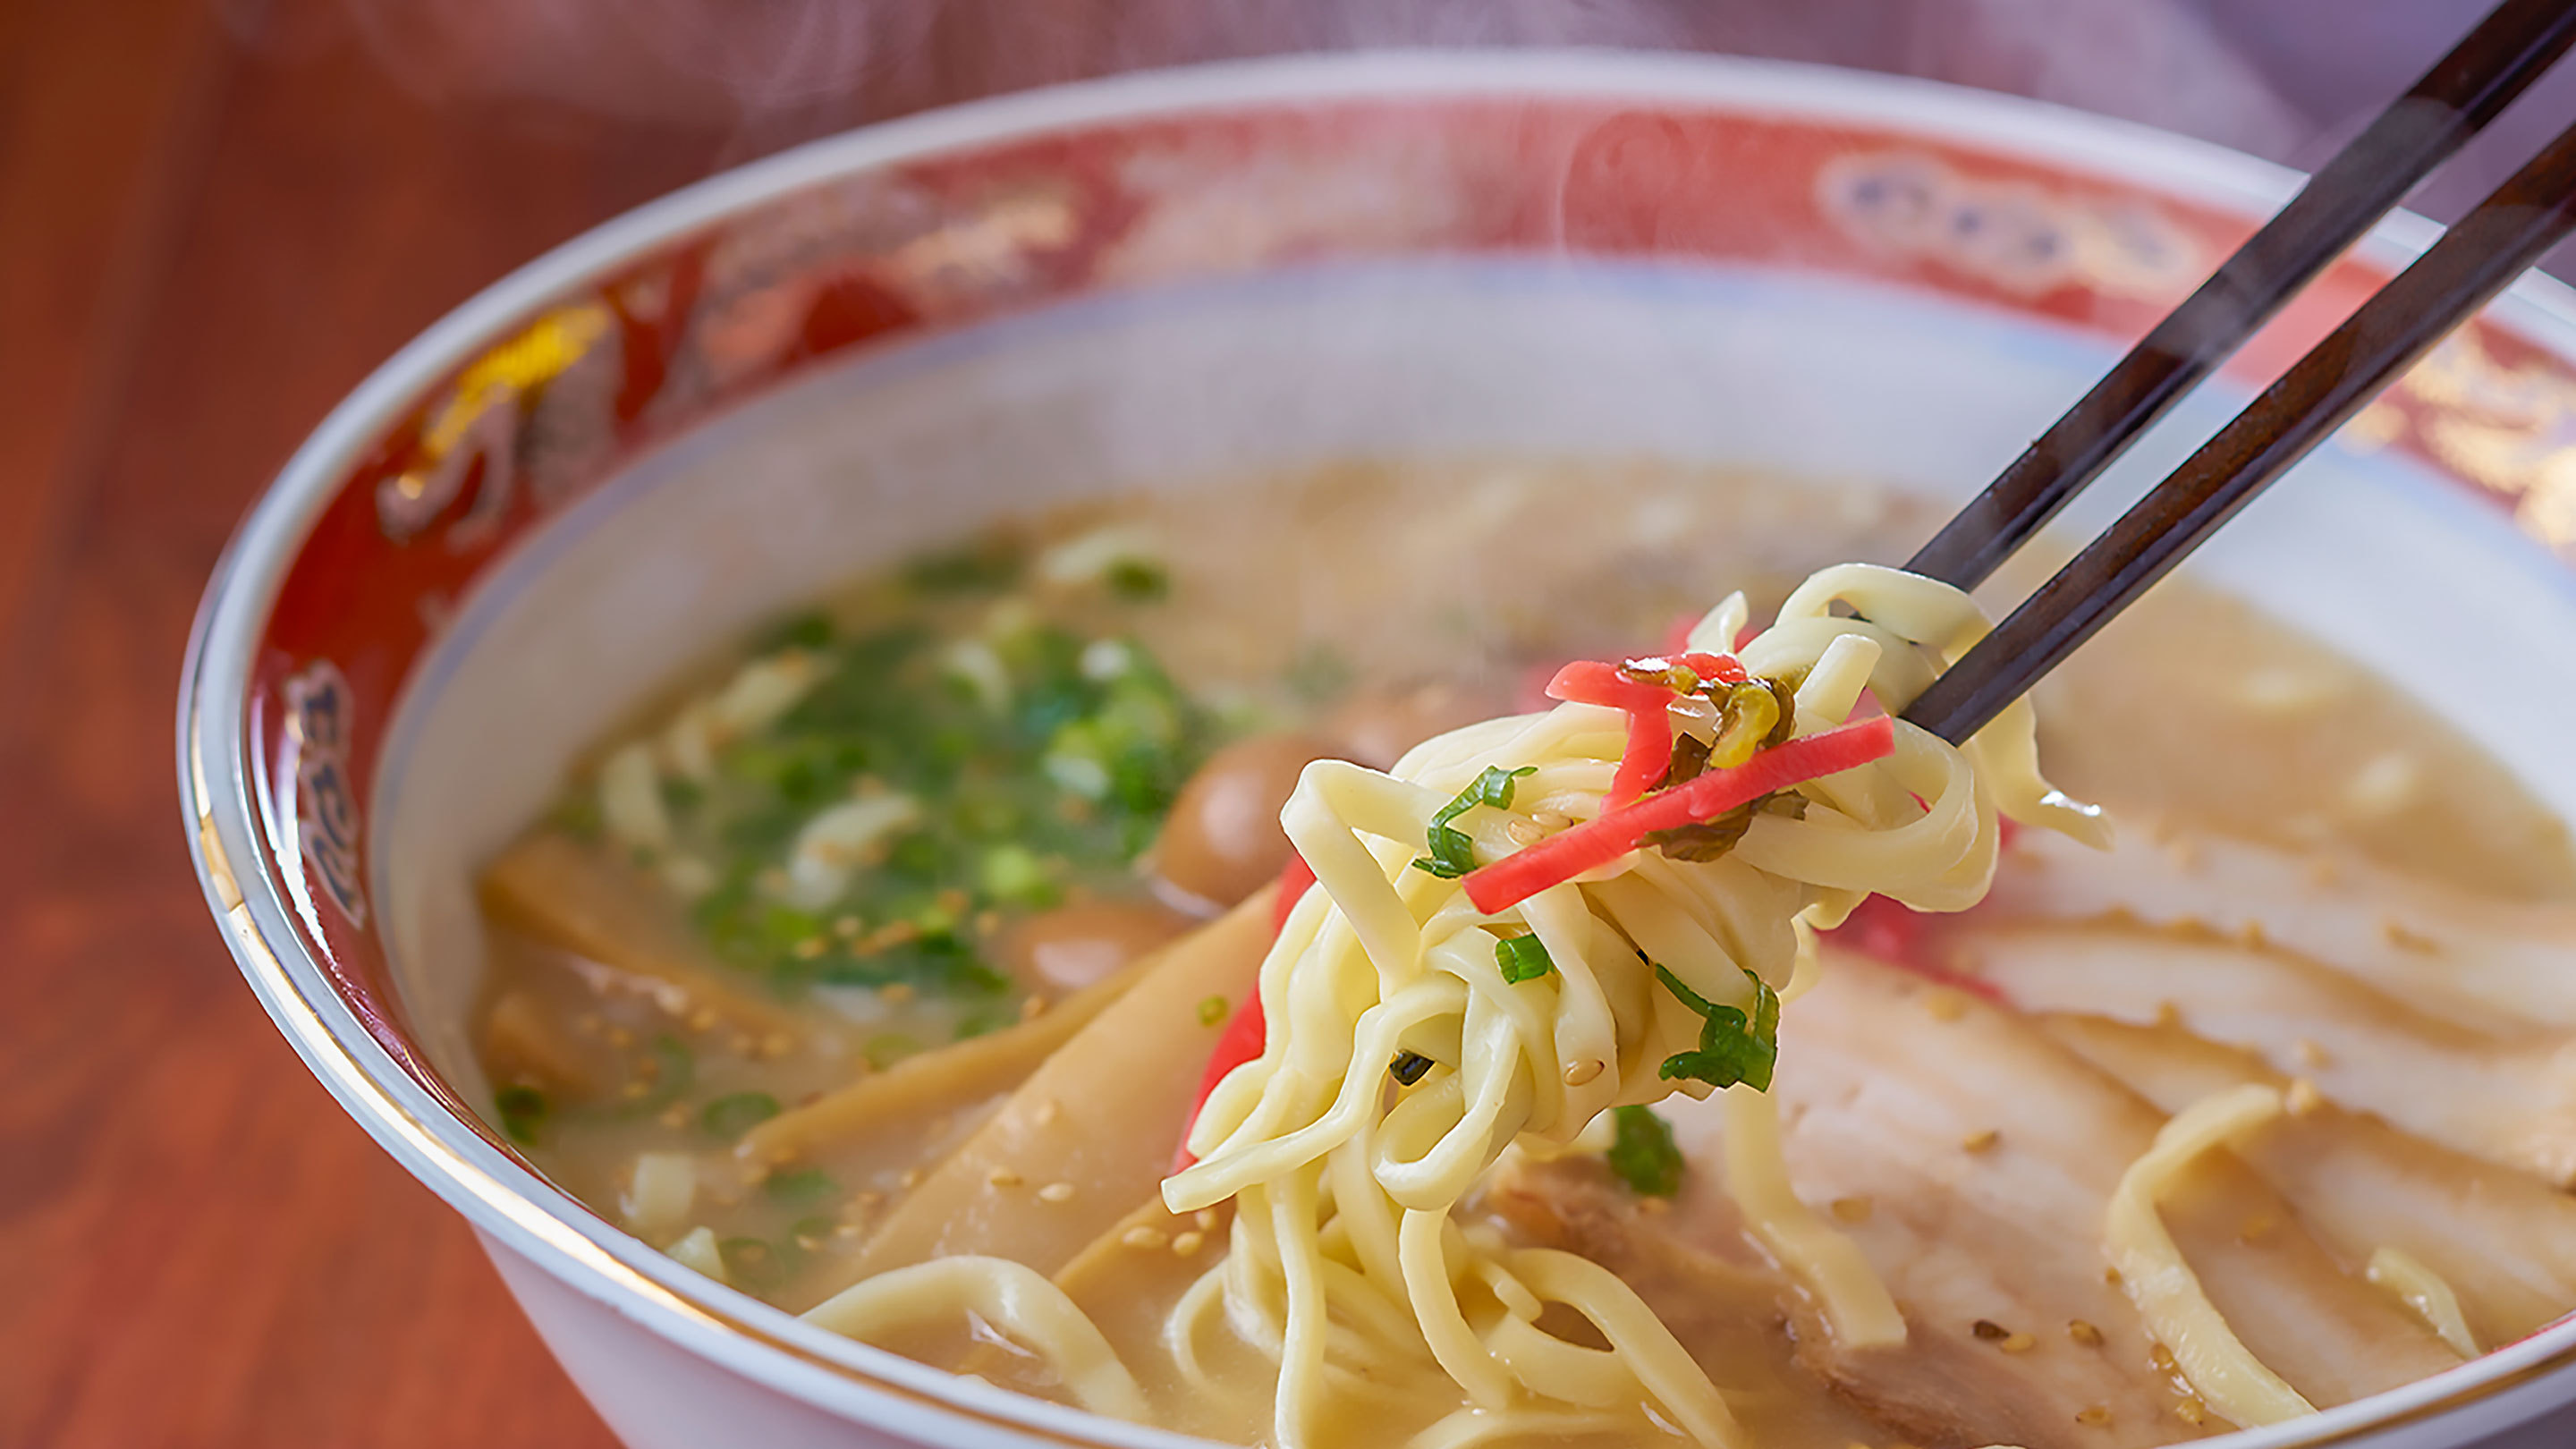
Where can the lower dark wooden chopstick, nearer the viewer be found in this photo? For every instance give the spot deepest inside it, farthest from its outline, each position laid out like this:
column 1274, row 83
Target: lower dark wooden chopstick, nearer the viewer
column 2389, row 334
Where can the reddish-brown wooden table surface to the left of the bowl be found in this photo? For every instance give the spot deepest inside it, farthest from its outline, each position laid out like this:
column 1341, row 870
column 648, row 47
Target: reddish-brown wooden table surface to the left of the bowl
column 215, row 218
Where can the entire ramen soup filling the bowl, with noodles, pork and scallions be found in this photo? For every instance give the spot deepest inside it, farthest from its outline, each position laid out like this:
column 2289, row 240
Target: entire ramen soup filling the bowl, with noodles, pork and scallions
column 1410, row 955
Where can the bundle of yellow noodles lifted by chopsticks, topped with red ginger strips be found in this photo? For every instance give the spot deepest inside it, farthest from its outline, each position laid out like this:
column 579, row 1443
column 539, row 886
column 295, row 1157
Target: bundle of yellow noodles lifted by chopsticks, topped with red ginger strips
column 1534, row 922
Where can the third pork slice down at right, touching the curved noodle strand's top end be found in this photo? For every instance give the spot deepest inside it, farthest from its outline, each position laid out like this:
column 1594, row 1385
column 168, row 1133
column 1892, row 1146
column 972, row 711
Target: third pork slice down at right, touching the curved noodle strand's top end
column 2505, row 1241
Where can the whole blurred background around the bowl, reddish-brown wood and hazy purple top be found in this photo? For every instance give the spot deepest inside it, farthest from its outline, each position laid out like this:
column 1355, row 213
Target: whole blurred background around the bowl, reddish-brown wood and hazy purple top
column 218, row 215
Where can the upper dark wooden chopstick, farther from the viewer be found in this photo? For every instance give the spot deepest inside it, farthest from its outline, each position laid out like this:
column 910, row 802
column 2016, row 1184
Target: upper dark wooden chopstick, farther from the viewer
column 2418, row 133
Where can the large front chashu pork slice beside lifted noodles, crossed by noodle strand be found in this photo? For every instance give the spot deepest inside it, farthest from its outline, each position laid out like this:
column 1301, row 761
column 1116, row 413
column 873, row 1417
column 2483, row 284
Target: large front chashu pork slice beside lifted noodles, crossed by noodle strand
column 1972, row 1162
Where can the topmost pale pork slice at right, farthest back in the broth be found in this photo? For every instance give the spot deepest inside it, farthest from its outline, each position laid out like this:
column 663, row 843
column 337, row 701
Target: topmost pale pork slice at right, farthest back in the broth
column 2490, row 966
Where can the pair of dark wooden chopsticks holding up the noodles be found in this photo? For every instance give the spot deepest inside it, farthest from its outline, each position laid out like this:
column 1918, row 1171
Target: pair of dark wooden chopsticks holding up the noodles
column 2389, row 334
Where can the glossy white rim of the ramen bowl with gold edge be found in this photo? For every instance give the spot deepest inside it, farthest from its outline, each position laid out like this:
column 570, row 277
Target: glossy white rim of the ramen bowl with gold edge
column 519, row 1211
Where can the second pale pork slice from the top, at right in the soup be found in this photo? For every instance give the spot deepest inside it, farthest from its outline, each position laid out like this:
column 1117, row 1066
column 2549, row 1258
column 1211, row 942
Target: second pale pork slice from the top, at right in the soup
column 2505, row 1102
